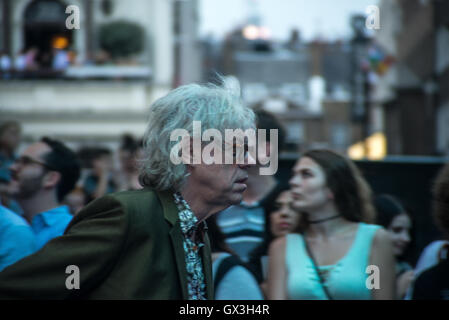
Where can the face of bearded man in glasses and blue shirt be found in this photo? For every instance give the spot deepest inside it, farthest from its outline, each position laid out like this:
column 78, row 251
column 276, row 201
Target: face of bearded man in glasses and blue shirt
column 28, row 171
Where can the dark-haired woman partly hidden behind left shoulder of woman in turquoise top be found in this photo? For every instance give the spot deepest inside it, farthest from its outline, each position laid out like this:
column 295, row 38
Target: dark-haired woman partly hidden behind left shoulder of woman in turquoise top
column 282, row 219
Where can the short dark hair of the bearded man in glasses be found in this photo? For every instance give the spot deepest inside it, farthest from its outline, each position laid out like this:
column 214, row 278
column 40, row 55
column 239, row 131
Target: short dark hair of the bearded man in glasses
column 64, row 161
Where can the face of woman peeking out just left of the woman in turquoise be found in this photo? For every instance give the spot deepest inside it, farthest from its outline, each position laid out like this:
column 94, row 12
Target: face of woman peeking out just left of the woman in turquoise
column 284, row 219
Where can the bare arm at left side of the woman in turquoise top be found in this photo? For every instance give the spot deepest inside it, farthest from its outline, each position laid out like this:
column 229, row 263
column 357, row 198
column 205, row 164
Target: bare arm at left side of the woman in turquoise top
column 277, row 274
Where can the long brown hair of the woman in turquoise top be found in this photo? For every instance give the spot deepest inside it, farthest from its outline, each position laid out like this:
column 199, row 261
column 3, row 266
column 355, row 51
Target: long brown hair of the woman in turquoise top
column 351, row 192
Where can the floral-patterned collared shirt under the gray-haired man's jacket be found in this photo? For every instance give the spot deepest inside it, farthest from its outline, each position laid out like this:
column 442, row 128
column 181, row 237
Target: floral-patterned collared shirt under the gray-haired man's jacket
column 193, row 241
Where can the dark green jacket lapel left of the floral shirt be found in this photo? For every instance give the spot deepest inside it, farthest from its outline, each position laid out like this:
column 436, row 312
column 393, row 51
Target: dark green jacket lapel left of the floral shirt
column 171, row 215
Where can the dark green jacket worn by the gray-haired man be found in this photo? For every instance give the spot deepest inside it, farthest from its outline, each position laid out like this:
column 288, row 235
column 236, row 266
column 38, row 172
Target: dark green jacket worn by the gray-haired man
column 127, row 245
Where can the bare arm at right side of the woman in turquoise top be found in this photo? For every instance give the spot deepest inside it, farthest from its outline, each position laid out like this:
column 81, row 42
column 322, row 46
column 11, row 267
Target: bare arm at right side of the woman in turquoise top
column 382, row 256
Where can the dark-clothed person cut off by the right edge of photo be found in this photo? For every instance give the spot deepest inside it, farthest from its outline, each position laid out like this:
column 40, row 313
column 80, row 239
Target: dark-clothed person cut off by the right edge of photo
column 433, row 283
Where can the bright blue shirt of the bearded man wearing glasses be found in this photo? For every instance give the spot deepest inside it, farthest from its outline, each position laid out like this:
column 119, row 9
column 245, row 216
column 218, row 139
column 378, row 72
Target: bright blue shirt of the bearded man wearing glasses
column 50, row 224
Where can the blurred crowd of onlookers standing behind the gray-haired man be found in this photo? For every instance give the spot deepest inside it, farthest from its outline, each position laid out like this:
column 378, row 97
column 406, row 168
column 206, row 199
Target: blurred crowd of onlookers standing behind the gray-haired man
column 270, row 246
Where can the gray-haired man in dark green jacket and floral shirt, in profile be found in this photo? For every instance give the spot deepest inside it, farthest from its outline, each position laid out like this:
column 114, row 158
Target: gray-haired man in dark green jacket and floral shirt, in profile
column 149, row 243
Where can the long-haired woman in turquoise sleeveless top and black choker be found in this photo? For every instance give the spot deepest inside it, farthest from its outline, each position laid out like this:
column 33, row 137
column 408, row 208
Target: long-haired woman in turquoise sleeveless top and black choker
column 328, row 259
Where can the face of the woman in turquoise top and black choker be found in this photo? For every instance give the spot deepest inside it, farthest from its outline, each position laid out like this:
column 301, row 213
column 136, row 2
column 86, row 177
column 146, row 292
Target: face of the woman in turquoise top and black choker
column 308, row 186
